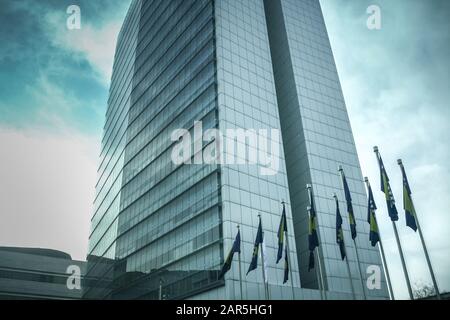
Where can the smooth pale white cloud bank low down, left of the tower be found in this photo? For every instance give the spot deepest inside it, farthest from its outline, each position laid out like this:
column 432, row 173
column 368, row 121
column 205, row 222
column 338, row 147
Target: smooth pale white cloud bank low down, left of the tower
column 47, row 189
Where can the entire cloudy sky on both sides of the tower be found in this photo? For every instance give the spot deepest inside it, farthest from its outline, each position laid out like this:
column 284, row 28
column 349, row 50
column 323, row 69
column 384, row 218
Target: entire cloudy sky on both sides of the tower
column 54, row 86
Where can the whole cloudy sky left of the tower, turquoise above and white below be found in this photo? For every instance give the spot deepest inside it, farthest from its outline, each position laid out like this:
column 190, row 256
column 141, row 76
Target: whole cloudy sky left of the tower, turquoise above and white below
column 53, row 95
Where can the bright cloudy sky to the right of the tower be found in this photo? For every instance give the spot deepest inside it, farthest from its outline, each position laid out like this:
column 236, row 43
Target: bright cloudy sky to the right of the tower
column 394, row 84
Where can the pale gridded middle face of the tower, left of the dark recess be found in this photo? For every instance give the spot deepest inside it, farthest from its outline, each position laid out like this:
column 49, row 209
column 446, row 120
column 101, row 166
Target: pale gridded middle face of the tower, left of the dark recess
column 247, row 99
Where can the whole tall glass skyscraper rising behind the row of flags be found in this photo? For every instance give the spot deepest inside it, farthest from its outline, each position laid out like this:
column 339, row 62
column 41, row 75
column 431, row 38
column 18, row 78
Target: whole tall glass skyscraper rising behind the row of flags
column 161, row 230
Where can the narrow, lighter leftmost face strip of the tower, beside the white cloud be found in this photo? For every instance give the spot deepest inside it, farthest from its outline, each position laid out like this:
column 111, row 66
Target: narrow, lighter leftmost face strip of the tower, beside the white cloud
column 104, row 223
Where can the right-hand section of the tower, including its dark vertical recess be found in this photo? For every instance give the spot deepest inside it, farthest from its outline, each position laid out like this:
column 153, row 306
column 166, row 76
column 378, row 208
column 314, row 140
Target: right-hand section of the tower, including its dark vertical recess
column 318, row 138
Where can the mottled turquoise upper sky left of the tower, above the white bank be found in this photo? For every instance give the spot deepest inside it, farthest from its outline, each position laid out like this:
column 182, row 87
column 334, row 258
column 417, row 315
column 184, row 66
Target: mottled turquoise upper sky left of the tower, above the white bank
column 60, row 76
